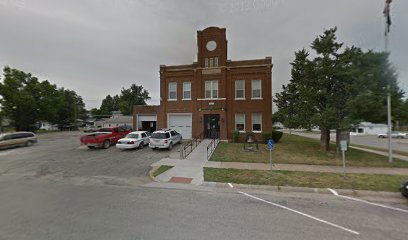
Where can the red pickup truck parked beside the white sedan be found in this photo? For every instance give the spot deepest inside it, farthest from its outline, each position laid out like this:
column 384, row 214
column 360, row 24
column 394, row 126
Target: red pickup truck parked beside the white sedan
column 104, row 137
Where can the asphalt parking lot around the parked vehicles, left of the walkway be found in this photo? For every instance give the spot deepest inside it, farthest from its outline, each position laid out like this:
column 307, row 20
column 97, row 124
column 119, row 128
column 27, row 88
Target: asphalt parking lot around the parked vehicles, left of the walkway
column 61, row 154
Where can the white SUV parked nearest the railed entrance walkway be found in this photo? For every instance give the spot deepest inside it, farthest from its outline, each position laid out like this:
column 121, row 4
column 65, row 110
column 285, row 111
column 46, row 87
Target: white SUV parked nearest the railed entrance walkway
column 165, row 138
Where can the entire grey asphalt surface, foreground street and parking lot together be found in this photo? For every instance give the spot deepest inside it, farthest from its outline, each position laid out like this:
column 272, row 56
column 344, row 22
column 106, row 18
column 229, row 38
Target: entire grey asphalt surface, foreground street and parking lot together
column 60, row 190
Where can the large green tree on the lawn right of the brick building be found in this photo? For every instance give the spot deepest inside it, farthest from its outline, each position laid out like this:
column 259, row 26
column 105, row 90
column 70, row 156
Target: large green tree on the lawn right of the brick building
column 337, row 88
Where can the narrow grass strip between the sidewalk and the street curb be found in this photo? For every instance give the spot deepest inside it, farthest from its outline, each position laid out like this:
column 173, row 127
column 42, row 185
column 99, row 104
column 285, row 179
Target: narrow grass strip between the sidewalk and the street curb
column 374, row 182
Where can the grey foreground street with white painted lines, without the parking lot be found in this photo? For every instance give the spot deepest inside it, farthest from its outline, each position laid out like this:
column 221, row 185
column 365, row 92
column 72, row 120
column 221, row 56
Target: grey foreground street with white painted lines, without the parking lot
column 39, row 209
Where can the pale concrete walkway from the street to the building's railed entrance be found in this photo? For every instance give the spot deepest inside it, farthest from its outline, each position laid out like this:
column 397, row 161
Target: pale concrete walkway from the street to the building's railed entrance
column 188, row 170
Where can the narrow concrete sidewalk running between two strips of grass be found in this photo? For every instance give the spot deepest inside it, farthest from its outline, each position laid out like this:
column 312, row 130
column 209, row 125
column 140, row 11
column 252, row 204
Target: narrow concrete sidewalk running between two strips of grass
column 308, row 168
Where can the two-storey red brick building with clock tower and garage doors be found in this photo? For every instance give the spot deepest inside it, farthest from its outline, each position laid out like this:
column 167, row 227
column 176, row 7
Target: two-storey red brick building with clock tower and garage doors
column 213, row 96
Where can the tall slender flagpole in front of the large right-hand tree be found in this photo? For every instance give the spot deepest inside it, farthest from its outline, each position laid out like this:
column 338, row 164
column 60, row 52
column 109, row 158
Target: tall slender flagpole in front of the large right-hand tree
column 386, row 36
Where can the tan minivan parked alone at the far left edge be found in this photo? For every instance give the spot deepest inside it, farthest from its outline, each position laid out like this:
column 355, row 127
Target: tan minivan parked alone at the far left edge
column 16, row 139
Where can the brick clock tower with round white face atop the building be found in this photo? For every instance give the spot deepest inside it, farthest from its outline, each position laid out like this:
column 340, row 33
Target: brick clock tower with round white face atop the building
column 212, row 47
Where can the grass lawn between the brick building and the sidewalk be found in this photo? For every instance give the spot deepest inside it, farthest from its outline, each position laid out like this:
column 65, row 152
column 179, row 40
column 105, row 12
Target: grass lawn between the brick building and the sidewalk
column 293, row 149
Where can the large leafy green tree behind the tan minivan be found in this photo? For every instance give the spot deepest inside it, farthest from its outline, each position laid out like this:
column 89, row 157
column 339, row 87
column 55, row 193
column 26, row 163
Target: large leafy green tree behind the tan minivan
column 26, row 101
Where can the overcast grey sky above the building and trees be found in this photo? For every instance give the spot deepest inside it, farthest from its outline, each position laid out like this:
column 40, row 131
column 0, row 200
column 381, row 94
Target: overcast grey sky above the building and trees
column 98, row 47
